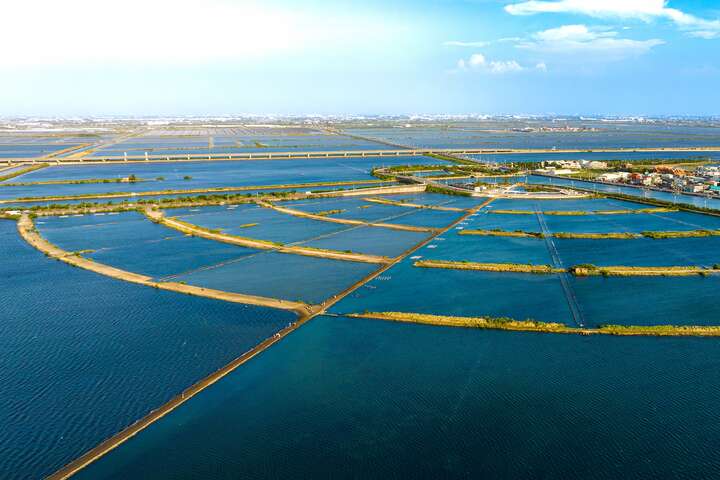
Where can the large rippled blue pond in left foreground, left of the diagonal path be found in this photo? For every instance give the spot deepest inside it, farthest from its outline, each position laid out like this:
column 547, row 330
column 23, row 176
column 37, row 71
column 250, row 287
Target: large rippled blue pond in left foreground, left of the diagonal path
column 85, row 355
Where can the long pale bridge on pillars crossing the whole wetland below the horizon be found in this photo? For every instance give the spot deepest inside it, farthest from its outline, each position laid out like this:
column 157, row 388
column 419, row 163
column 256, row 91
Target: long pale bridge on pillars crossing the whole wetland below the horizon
column 378, row 153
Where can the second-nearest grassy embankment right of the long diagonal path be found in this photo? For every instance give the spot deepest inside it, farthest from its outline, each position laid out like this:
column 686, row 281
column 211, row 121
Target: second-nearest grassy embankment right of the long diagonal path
column 583, row 270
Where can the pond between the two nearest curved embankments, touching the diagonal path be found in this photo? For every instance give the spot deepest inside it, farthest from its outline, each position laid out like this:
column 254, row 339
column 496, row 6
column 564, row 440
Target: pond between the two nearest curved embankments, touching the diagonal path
column 284, row 276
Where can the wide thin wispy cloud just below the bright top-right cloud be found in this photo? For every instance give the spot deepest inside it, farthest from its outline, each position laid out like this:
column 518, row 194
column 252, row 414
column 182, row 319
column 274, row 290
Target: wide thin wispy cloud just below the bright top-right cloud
column 596, row 43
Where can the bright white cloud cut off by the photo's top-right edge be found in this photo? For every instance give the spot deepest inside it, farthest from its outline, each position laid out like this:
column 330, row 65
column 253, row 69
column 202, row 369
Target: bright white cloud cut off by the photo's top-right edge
column 644, row 10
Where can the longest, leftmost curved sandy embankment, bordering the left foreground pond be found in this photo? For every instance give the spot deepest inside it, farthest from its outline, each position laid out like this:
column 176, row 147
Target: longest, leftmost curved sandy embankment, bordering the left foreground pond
column 29, row 233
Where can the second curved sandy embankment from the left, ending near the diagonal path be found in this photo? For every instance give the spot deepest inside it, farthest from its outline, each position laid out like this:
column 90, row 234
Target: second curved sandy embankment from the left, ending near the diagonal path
column 158, row 216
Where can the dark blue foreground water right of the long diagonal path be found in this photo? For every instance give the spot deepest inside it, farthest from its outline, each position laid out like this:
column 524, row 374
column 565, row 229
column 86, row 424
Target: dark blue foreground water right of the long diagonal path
column 349, row 398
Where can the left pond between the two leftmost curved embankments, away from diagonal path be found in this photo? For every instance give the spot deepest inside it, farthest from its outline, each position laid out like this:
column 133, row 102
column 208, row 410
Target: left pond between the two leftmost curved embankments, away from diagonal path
column 131, row 242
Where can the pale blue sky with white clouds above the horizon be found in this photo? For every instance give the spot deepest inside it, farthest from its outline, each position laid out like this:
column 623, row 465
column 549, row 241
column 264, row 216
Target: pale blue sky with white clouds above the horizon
column 225, row 57
